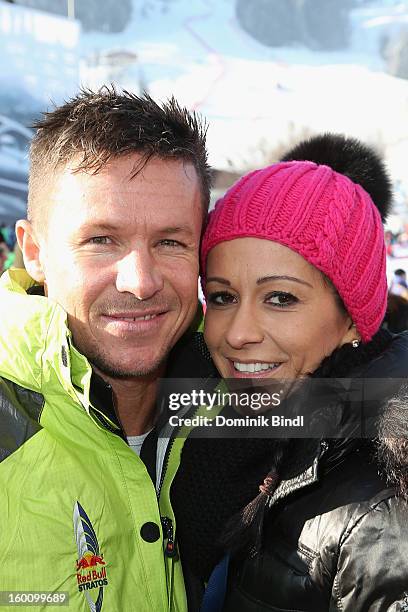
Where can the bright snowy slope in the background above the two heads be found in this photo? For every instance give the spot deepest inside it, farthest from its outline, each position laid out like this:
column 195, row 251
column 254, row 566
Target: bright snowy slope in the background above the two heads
column 252, row 95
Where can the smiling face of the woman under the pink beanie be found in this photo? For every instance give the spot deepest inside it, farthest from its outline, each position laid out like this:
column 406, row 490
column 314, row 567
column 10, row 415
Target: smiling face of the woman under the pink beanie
column 270, row 313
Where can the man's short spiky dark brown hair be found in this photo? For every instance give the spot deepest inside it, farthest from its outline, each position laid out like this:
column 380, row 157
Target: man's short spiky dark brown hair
column 95, row 127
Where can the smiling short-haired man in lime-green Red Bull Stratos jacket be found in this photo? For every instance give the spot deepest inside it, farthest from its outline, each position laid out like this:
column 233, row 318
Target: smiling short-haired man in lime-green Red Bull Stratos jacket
column 119, row 187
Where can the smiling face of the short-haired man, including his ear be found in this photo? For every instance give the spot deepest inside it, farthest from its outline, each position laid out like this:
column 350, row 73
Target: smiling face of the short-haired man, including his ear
column 120, row 255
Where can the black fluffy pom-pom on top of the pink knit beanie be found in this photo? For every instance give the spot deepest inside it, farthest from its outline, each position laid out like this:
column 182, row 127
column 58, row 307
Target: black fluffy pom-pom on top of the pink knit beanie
column 350, row 157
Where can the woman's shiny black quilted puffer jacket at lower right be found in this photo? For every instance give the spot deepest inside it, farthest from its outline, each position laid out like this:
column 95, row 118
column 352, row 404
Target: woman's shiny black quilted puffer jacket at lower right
column 336, row 538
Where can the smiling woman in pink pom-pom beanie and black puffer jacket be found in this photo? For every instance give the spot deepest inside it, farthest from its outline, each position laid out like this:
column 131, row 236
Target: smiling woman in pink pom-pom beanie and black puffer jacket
column 293, row 264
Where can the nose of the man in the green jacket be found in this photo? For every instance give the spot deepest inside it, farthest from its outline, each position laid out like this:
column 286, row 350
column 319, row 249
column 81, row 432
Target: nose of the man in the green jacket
column 139, row 274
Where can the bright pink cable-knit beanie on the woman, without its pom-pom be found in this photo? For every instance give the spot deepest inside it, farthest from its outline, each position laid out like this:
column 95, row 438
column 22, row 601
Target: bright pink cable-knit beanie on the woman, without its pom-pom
column 321, row 214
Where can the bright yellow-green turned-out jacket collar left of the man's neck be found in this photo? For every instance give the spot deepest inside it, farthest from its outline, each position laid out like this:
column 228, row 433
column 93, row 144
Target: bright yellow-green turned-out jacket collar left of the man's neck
column 34, row 330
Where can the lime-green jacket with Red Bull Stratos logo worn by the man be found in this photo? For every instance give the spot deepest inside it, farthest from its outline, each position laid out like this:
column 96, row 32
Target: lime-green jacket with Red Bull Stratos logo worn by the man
column 74, row 498
